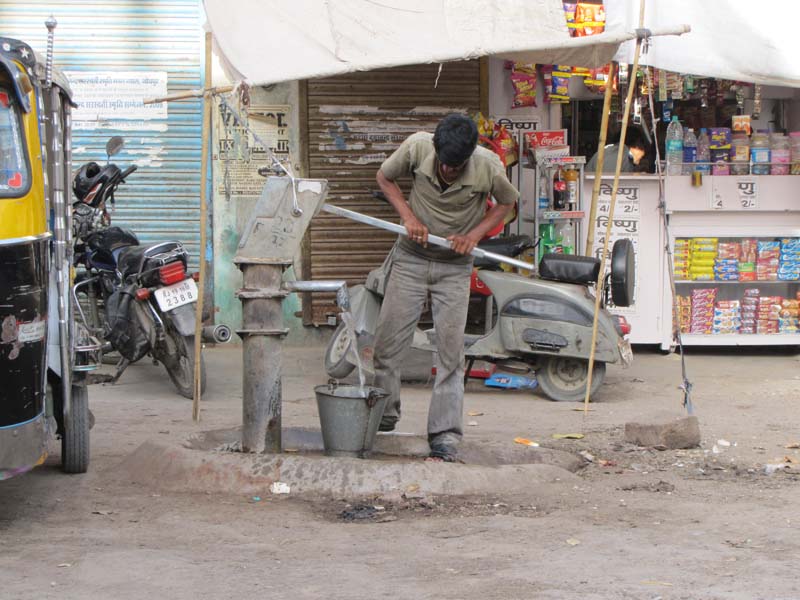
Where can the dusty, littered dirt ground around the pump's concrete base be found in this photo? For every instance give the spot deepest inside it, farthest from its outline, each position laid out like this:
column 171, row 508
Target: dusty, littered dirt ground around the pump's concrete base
column 641, row 523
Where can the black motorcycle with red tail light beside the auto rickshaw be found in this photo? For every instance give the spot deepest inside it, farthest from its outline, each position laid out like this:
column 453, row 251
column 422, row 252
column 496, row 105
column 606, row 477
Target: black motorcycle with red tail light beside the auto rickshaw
column 139, row 299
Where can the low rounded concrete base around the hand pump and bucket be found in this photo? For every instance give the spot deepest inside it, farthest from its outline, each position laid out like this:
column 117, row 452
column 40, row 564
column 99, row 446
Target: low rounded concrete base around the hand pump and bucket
column 206, row 463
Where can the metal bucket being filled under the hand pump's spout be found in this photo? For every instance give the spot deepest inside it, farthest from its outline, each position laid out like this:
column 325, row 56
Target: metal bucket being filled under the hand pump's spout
column 349, row 417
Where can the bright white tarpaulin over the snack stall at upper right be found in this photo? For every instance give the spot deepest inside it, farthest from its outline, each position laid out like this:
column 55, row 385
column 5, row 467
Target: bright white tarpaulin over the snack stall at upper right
column 739, row 40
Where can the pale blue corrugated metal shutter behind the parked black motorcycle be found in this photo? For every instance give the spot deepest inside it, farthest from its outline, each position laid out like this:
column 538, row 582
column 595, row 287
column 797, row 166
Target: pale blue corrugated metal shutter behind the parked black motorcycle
column 161, row 200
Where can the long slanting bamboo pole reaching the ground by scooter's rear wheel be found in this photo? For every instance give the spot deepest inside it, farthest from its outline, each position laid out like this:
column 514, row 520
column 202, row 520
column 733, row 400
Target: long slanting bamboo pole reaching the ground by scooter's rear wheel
column 603, row 258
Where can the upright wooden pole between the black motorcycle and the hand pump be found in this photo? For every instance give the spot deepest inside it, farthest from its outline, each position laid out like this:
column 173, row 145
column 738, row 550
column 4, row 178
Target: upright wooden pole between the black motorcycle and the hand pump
column 198, row 326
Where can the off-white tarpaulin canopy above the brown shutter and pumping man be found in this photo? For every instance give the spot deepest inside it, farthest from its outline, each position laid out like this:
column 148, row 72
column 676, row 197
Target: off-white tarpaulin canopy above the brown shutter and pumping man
column 267, row 41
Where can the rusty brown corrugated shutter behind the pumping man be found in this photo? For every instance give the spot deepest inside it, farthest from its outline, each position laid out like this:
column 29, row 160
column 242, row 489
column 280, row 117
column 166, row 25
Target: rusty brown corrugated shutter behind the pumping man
column 354, row 122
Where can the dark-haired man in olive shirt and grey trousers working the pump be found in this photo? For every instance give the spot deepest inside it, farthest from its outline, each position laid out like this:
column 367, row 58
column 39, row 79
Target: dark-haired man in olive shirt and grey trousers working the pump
column 451, row 179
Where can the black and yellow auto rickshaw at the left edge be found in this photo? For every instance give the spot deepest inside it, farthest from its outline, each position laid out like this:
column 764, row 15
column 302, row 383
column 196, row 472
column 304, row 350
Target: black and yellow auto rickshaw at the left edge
column 44, row 353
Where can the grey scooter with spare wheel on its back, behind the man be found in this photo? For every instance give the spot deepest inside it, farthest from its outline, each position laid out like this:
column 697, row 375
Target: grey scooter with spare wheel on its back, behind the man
column 542, row 324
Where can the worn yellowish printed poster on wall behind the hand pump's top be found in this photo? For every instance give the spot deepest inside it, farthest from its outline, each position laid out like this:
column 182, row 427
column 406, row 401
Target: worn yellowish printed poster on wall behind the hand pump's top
column 239, row 155
